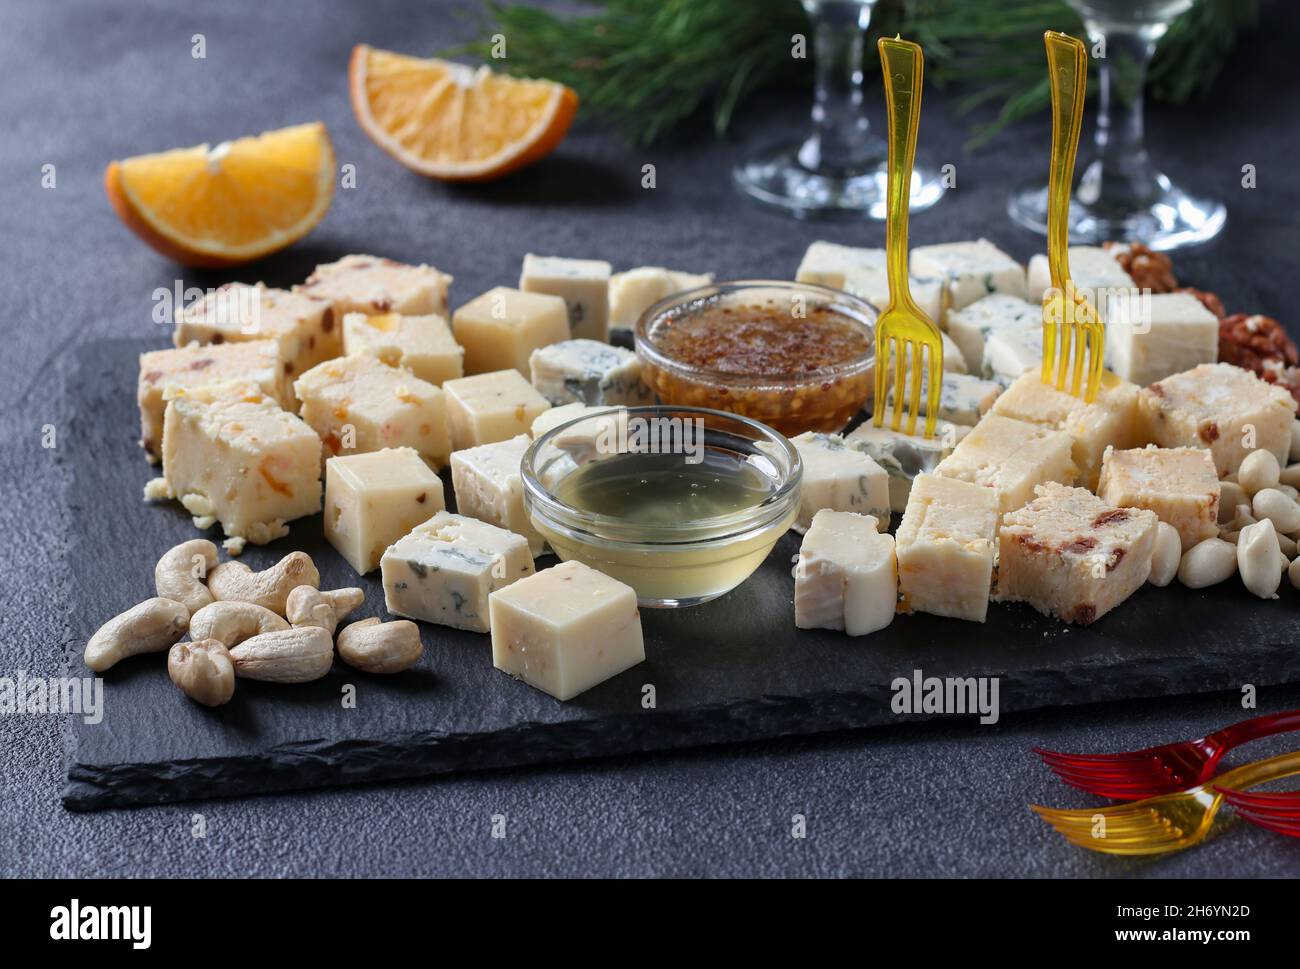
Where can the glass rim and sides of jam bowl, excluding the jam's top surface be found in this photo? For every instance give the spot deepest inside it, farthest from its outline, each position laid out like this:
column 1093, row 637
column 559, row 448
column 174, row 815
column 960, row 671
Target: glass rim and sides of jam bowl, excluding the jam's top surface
column 820, row 400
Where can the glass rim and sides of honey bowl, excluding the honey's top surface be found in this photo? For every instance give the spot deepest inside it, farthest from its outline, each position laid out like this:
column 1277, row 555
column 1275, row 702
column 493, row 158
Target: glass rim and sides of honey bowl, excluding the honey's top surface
column 674, row 561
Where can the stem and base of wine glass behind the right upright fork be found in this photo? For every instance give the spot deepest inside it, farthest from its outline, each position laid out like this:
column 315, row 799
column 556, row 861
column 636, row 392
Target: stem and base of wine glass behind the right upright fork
column 1121, row 197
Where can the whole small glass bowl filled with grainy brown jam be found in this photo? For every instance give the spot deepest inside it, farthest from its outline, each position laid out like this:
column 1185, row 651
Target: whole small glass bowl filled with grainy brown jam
column 795, row 356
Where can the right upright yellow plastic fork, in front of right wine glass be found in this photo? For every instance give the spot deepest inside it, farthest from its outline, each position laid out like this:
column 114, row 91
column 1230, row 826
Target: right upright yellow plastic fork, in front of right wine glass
column 1067, row 314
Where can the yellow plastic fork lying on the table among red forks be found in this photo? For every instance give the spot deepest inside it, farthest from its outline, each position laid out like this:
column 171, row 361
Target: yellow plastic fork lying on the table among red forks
column 1165, row 824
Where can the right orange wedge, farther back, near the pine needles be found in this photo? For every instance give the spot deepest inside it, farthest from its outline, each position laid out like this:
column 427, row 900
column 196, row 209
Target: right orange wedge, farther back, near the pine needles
column 449, row 122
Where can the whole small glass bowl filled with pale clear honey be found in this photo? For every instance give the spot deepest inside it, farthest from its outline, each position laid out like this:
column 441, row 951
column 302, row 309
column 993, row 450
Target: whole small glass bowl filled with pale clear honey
column 682, row 504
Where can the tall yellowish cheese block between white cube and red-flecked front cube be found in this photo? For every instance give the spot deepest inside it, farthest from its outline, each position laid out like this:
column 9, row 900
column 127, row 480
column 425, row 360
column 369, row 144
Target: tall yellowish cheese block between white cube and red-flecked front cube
column 946, row 546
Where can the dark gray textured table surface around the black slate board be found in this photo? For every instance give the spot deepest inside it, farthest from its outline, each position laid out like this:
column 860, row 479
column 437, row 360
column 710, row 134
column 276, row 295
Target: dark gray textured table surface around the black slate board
column 86, row 83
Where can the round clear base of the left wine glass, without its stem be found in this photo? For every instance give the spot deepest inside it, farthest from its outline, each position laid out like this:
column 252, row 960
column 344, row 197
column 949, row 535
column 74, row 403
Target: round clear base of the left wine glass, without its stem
column 781, row 181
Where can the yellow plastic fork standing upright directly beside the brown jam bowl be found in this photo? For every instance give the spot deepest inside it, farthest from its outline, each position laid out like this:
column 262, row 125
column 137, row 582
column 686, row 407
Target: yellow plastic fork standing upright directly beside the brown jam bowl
column 904, row 325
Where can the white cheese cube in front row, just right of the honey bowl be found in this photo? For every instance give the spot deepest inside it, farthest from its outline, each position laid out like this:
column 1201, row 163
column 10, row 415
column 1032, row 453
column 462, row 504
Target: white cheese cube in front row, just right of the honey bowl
column 847, row 576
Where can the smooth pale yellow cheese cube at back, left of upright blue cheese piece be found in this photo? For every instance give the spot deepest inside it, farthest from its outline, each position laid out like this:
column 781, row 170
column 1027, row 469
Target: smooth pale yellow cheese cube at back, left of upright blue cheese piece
column 504, row 327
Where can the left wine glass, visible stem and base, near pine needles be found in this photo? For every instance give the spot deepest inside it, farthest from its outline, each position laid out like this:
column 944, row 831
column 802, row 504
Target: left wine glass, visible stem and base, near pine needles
column 840, row 167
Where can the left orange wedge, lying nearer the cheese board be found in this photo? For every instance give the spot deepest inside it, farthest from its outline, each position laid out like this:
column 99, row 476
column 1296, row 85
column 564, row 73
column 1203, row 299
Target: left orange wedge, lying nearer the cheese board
column 231, row 205
